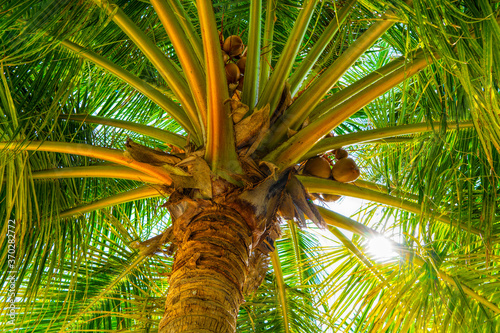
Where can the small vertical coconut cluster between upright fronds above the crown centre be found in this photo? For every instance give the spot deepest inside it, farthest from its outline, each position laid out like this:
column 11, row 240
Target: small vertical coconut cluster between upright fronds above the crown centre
column 233, row 54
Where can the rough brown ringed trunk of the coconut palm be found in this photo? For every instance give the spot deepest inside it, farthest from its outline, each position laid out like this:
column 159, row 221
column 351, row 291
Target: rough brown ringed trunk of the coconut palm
column 209, row 270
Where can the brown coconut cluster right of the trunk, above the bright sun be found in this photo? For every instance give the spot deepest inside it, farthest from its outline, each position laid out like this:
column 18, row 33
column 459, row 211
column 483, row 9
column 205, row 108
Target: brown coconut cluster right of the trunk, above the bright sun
column 344, row 170
